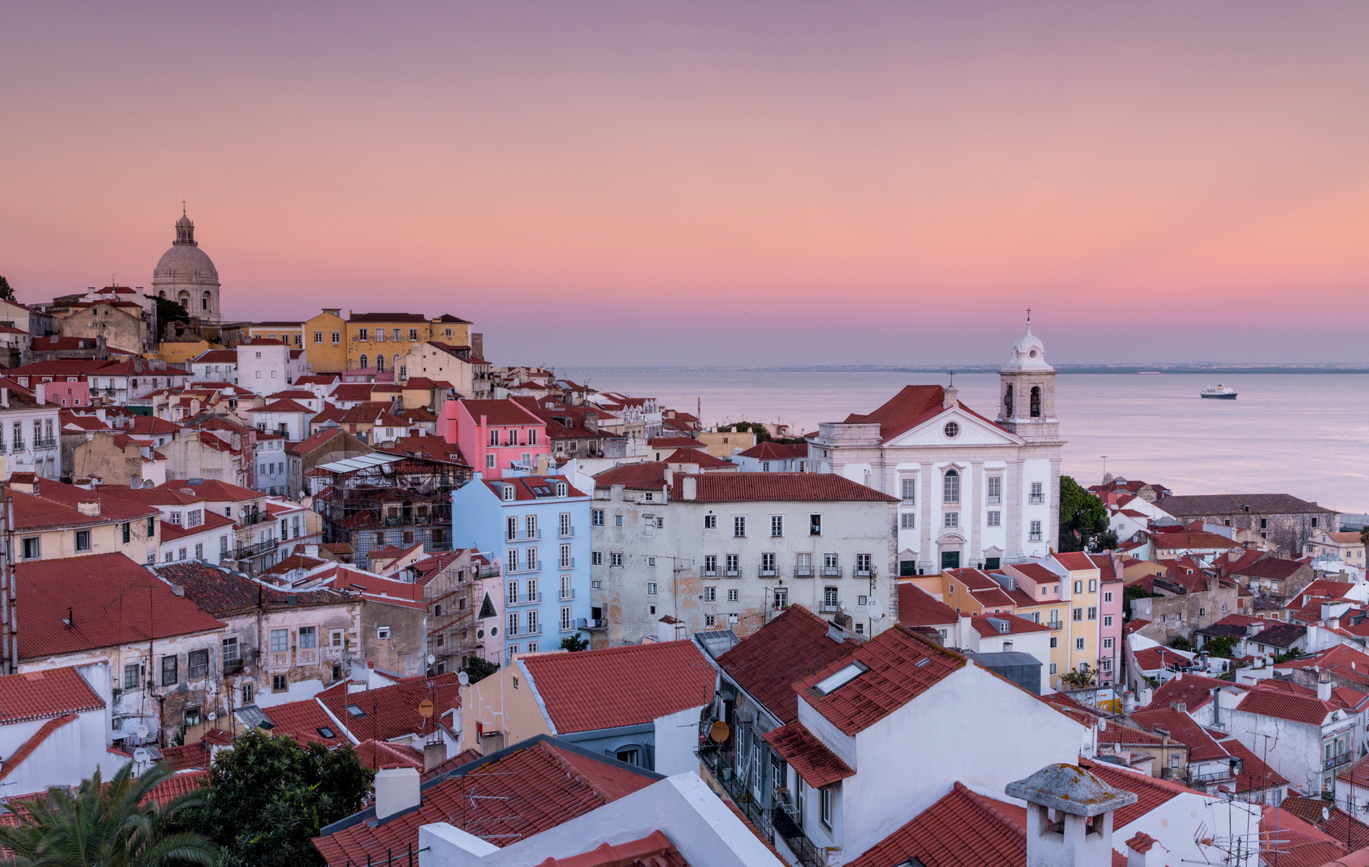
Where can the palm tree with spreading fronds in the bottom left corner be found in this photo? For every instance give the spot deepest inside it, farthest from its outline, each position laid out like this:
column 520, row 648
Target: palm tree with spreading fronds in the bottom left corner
column 107, row 825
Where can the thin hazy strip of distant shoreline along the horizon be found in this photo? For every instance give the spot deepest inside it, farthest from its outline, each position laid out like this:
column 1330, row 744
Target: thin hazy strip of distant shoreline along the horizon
column 993, row 369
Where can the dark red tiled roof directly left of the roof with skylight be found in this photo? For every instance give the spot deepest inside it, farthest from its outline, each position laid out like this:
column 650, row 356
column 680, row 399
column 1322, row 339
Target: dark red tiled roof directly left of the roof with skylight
column 786, row 650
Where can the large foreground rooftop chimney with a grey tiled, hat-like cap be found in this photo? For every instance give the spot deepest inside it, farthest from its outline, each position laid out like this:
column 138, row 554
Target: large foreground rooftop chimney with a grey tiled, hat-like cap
column 1070, row 817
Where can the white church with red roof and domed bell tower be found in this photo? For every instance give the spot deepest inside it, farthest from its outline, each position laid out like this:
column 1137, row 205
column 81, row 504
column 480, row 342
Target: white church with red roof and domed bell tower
column 974, row 491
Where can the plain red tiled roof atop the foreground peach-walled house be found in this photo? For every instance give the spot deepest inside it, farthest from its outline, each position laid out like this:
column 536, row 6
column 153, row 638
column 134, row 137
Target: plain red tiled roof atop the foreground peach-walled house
column 633, row 684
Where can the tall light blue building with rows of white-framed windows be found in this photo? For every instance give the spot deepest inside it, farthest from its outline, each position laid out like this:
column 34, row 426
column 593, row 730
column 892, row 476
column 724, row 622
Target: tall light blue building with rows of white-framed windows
column 539, row 528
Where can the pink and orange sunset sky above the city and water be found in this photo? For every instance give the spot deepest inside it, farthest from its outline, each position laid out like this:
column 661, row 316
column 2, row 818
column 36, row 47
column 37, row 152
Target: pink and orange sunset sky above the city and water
column 717, row 183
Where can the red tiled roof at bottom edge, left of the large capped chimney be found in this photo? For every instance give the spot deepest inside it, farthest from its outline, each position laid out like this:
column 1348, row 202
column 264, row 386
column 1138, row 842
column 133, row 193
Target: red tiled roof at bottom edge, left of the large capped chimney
column 963, row 829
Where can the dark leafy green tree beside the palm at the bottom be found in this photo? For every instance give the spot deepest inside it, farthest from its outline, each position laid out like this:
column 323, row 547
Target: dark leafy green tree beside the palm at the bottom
column 269, row 798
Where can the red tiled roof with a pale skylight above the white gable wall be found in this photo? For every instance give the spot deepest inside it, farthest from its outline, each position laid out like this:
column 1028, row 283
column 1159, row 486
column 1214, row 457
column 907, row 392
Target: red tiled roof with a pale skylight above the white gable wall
column 900, row 666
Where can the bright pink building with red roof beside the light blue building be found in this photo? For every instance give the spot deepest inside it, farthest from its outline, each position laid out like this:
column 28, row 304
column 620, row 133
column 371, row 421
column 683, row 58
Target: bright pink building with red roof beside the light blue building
column 496, row 436
